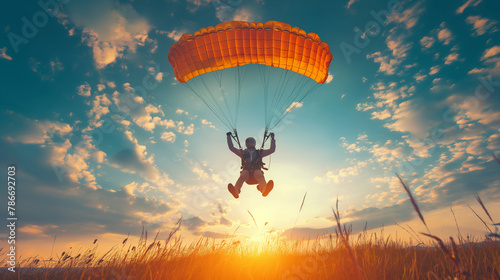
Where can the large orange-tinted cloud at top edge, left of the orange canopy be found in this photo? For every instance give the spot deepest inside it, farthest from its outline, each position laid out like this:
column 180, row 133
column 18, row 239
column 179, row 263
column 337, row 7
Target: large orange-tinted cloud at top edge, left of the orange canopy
column 111, row 29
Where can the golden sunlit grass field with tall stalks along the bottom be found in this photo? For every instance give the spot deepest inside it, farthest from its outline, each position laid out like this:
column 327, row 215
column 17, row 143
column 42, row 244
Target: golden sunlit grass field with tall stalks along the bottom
column 339, row 256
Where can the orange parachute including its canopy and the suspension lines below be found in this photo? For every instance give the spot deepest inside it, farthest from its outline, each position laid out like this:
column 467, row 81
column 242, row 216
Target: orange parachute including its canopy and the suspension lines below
column 291, row 63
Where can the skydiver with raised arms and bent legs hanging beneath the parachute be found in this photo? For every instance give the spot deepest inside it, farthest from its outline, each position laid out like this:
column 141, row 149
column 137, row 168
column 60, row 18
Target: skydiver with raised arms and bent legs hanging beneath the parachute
column 251, row 165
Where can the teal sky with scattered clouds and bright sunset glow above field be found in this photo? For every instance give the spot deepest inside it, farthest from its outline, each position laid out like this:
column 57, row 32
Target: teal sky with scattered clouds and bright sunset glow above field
column 105, row 139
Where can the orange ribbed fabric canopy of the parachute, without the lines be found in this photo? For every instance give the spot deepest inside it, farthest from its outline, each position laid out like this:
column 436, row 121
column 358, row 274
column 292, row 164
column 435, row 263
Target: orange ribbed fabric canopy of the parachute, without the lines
column 237, row 43
